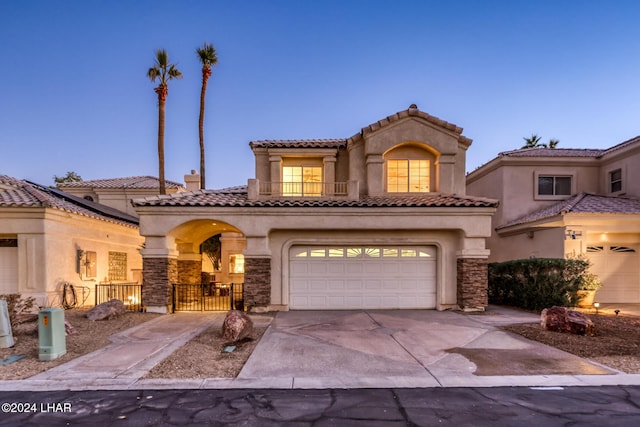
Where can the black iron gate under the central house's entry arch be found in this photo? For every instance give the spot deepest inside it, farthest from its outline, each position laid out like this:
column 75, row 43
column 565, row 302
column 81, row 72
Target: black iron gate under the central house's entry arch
column 208, row 297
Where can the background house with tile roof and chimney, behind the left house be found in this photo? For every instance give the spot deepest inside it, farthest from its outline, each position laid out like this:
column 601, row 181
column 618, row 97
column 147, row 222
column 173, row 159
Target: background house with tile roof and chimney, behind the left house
column 118, row 192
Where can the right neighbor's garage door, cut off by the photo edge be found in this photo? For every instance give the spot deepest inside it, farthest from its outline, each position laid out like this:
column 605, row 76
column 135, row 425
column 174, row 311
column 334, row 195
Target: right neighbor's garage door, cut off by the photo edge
column 619, row 270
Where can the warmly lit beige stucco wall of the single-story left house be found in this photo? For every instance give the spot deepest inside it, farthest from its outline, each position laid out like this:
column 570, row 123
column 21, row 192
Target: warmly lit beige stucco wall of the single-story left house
column 48, row 241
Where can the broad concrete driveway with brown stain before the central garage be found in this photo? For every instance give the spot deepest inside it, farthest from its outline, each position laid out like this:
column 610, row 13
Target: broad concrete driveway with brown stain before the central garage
column 404, row 348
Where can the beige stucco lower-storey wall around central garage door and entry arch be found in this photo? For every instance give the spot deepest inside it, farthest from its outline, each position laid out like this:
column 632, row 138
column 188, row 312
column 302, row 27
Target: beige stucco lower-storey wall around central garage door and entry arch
column 269, row 232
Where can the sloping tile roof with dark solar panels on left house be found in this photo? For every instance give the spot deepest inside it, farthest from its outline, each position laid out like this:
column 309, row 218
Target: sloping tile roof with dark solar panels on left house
column 19, row 193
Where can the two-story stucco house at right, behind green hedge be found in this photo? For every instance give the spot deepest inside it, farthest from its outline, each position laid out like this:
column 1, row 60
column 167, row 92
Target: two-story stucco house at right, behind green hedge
column 569, row 202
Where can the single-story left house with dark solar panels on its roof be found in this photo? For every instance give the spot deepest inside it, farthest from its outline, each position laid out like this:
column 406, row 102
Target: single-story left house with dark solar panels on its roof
column 49, row 238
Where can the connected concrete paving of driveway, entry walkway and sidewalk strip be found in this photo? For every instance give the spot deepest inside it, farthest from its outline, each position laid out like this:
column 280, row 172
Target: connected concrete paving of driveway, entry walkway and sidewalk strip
column 340, row 349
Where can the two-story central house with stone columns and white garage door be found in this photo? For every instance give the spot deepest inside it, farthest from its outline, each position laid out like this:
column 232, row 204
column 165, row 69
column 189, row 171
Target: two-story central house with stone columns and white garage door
column 378, row 220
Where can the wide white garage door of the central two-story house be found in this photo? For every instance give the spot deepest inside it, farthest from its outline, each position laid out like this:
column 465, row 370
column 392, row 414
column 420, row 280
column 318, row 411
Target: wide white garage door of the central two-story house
column 362, row 277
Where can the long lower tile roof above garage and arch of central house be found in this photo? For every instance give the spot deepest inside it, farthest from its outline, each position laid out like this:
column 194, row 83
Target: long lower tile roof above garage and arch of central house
column 237, row 197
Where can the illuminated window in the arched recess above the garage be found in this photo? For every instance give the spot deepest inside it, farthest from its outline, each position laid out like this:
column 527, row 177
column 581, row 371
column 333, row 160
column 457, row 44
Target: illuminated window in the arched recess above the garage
column 408, row 176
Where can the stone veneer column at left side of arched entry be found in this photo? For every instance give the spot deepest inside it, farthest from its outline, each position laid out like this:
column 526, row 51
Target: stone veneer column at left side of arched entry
column 157, row 277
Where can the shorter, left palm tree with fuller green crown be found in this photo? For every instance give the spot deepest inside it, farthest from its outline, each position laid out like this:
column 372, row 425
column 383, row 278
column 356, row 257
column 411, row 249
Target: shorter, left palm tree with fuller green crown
column 162, row 71
